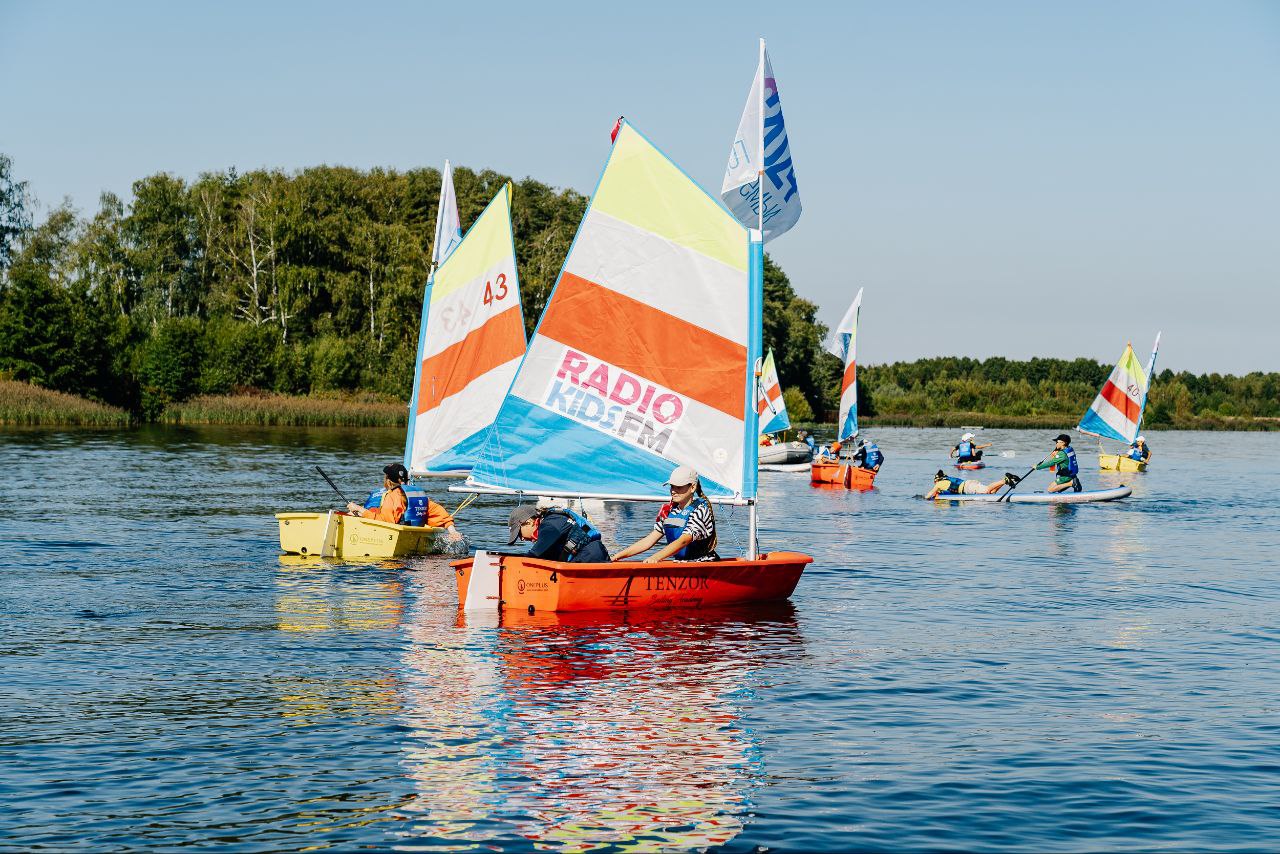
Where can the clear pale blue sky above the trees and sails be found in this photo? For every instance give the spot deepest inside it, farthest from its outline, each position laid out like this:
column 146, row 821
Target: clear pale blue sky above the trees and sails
column 1004, row 179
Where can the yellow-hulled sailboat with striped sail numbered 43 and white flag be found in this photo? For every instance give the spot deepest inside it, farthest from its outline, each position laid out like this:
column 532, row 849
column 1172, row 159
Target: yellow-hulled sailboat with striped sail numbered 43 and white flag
column 470, row 342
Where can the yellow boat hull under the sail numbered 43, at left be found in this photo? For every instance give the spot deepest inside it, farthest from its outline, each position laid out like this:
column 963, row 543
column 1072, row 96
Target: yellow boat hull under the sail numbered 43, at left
column 351, row 537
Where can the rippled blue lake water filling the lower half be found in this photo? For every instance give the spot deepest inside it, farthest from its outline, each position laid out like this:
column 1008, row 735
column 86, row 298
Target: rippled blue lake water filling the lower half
column 982, row 678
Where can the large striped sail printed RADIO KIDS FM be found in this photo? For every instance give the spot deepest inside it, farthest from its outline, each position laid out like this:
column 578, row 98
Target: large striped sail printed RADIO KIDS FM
column 644, row 357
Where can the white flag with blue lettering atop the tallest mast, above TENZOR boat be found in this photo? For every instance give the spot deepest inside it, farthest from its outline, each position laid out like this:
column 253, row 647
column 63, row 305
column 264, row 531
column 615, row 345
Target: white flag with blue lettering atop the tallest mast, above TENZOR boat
column 762, row 131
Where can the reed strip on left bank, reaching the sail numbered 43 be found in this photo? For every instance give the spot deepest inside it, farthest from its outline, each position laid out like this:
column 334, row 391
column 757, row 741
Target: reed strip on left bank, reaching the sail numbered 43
column 290, row 410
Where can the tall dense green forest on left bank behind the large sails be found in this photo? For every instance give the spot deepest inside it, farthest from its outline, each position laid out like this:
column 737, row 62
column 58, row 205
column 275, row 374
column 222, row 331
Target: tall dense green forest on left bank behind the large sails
column 286, row 282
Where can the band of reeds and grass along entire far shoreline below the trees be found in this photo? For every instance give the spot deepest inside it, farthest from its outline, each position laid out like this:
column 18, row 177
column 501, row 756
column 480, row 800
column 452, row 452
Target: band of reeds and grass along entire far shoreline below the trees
column 25, row 405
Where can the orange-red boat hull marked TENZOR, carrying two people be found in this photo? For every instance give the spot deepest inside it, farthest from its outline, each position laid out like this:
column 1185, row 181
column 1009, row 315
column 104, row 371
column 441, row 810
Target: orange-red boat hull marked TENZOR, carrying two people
column 537, row 586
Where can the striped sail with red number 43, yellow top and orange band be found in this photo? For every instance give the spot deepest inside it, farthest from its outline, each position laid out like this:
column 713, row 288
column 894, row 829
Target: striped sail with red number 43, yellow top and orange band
column 469, row 346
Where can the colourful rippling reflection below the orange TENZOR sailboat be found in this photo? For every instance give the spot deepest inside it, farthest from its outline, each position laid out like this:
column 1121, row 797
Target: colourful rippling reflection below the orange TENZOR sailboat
column 587, row 730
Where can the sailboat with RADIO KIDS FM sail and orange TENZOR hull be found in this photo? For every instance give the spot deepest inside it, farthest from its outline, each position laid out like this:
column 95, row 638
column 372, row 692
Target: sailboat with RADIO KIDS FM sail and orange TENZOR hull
column 643, row 360
